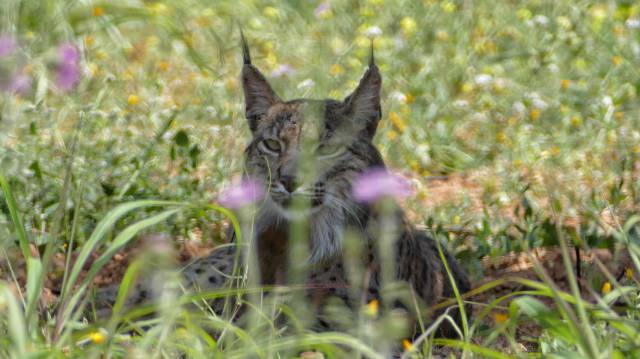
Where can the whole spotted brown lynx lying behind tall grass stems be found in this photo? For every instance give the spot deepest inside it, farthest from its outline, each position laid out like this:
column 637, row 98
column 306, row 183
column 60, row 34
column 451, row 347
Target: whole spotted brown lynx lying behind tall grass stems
column 311, row 152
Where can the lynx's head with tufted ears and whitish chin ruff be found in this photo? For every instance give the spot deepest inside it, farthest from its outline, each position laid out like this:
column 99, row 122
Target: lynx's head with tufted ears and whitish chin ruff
column 308, row 152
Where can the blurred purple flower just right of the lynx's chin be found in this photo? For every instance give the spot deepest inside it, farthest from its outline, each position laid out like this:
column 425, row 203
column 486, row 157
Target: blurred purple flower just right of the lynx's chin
column 378, row 183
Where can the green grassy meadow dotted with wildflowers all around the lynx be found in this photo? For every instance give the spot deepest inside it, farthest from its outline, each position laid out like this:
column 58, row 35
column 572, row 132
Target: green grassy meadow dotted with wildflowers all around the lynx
column 535, row 101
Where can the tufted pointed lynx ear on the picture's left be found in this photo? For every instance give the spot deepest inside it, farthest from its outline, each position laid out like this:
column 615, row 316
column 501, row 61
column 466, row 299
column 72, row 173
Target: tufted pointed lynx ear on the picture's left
column 258, row 94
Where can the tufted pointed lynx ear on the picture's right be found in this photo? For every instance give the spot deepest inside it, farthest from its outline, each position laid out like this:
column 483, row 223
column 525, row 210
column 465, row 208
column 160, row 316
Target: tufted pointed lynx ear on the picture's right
column 363, row 105
